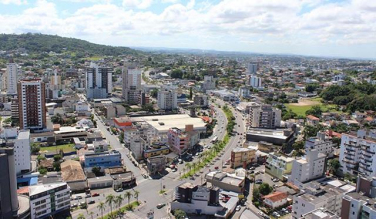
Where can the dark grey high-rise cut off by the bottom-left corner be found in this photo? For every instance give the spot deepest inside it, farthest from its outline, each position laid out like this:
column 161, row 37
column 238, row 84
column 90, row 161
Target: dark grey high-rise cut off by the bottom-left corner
column 8, row 184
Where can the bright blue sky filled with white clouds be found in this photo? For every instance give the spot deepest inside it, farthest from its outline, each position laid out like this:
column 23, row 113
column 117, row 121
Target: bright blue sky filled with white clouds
column 331, row 28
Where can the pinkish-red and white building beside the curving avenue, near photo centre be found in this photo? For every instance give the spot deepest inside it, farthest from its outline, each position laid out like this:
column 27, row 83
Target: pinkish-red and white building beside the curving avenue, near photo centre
column 180, row 141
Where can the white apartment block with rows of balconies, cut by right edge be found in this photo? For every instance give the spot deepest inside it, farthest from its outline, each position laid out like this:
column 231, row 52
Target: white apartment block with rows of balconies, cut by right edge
column 358, row 150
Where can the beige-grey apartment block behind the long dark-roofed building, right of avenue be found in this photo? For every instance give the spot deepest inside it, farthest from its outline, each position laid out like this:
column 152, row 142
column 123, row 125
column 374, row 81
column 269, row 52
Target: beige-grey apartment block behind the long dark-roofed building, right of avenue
column 264, row 116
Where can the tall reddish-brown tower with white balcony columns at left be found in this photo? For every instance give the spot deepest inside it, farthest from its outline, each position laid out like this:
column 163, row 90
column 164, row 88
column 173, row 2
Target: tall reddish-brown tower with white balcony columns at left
column 32, row 104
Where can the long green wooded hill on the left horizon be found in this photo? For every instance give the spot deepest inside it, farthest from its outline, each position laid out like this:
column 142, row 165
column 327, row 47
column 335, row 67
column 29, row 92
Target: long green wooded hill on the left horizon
column 46, row 43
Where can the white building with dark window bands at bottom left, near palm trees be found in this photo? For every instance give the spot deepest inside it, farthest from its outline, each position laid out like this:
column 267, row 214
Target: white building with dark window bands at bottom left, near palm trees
column 49, row 199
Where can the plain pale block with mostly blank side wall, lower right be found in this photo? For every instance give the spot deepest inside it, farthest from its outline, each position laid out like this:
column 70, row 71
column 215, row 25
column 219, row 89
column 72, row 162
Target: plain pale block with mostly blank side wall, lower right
column 308, row 168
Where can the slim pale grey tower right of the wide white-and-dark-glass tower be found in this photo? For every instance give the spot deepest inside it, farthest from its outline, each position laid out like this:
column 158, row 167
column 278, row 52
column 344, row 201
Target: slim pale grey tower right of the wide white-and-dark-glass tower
column 132, row 85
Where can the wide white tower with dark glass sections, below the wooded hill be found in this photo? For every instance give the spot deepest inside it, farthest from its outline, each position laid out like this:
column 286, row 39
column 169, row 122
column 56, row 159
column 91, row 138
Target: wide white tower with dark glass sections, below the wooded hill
column 98, row 81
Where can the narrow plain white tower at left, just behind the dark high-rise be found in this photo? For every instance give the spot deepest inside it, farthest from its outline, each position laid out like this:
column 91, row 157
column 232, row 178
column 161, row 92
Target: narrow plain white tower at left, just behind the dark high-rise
column 22, row 152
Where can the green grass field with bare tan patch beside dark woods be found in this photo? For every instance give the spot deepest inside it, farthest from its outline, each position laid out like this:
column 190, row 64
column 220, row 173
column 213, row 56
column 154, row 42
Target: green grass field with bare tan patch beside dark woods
column 301, row 108
